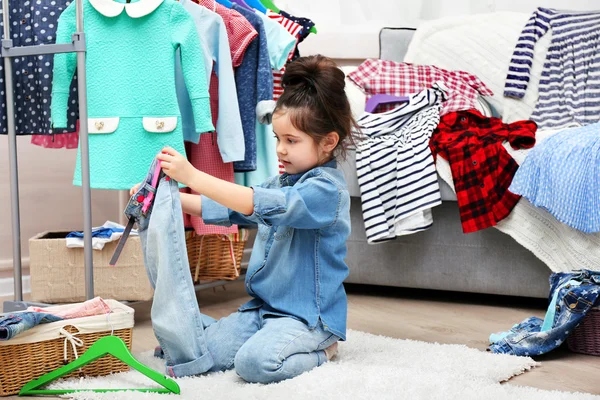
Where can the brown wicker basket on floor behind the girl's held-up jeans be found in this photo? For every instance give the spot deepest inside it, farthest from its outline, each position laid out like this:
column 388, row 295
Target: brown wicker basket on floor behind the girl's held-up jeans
column 215, row 257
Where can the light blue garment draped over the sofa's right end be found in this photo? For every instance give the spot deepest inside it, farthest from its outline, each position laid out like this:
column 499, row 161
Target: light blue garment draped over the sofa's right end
column 562, row 175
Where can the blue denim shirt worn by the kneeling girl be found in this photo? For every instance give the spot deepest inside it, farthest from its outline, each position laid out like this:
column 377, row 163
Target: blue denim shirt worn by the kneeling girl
column 297, row 266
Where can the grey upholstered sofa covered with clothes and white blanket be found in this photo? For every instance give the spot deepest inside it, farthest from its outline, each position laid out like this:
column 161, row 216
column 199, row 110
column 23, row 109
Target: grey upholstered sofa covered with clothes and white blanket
column 442, row 257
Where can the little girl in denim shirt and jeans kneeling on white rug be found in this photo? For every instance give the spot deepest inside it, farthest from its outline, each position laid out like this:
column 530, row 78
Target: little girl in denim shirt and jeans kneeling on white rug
column 298, row 309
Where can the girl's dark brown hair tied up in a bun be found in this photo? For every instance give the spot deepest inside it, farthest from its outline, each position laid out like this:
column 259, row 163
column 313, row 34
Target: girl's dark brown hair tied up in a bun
column 315, row 100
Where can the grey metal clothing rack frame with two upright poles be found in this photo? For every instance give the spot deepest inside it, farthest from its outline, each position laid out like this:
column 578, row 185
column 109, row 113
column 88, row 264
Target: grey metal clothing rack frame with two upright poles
column 8, row 52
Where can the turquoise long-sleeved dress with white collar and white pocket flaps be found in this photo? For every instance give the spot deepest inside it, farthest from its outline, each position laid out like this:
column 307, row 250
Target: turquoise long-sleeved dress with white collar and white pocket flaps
column 132, row 103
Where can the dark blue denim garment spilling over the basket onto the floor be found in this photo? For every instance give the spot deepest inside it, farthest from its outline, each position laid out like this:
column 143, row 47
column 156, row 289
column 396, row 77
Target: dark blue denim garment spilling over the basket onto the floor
column 571, row 297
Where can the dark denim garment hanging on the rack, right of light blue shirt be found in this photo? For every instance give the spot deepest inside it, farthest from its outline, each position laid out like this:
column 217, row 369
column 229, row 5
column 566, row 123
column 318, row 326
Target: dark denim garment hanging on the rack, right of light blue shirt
column 254, row 83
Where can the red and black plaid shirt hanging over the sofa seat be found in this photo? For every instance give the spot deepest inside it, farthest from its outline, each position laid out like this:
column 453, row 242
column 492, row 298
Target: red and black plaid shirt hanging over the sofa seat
column 482, row 169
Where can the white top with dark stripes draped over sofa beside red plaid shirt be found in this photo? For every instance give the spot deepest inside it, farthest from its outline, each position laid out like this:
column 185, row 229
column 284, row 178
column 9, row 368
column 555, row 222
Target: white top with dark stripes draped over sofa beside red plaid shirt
column 396, row 172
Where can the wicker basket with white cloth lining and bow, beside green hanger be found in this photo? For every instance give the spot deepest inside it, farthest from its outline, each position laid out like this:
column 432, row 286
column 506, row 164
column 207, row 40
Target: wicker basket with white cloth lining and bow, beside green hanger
column 29, row 359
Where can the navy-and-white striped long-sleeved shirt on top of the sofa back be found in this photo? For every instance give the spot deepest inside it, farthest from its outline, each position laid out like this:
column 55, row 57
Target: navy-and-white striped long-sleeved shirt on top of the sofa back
column 569, row 89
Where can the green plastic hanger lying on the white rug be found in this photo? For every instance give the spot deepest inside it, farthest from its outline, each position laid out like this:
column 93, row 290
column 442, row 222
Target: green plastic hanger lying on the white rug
column 112, row 345
